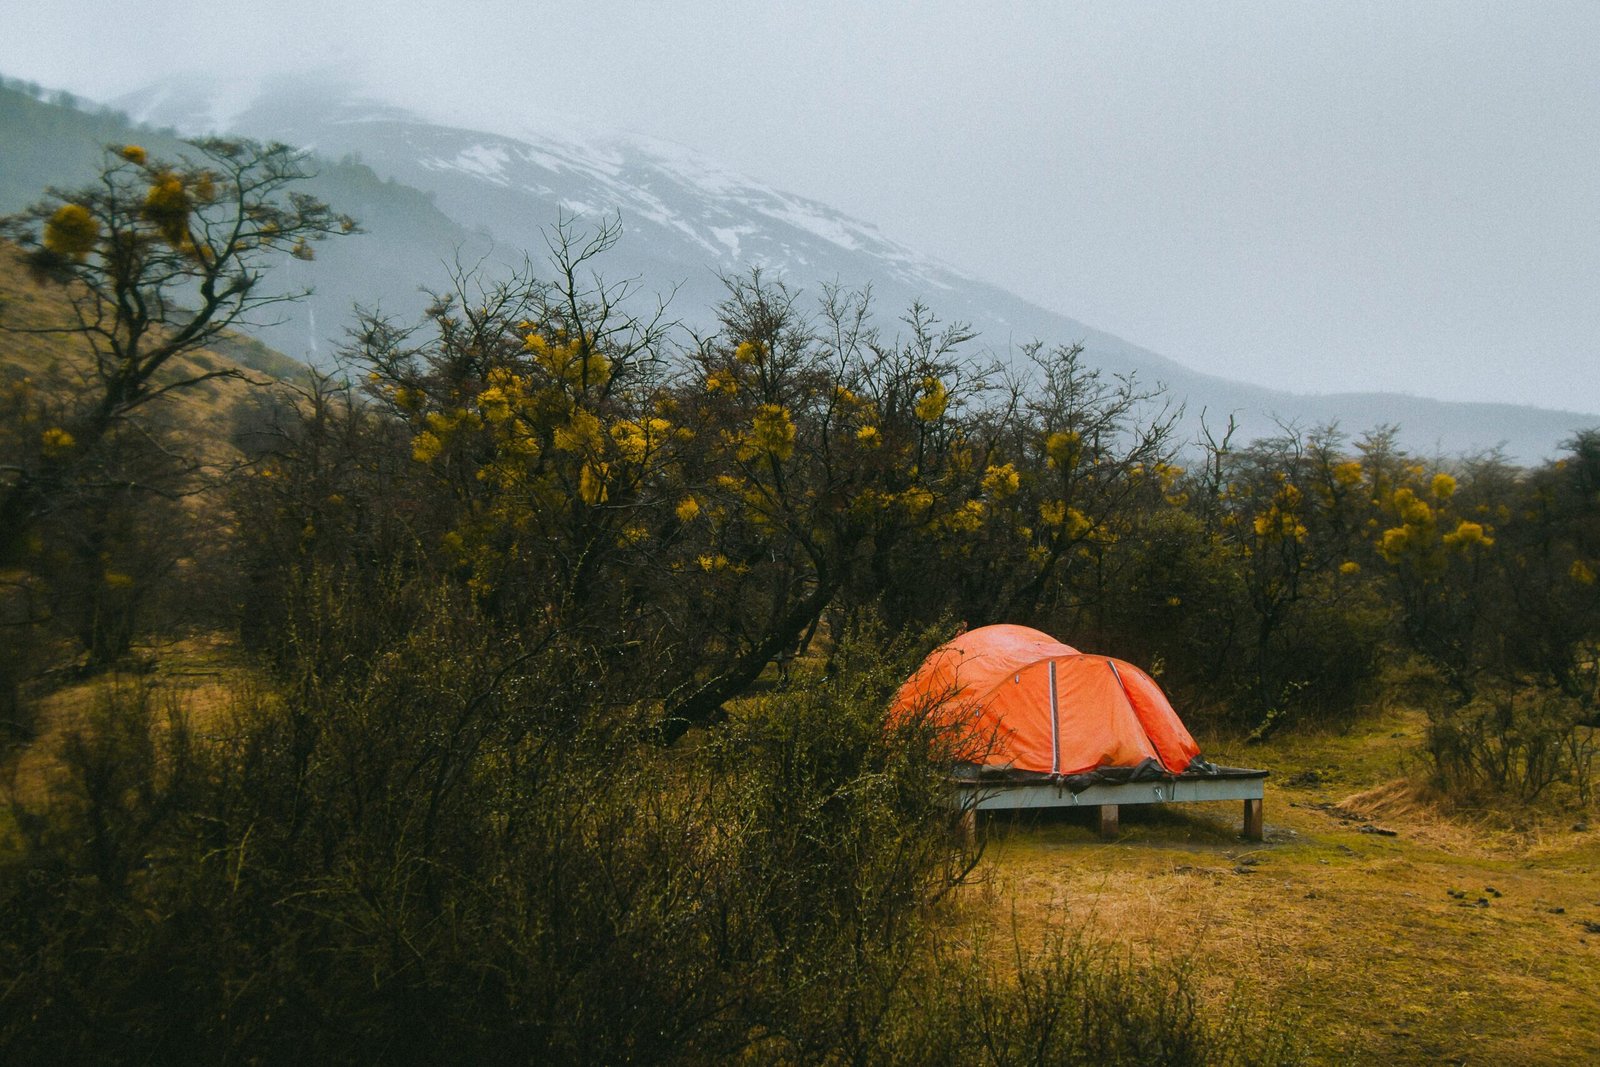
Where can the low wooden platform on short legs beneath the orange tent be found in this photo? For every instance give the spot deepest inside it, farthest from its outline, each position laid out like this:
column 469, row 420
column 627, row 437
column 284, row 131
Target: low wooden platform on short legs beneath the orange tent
column 1110, row 797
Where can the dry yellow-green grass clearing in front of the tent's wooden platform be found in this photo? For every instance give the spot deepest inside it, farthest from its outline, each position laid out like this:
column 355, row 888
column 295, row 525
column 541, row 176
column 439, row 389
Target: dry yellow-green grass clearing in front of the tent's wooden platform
column 1356, row 933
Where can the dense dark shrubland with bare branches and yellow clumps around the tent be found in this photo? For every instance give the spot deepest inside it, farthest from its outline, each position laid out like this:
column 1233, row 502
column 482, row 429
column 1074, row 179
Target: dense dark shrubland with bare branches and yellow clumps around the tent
column 518, row 783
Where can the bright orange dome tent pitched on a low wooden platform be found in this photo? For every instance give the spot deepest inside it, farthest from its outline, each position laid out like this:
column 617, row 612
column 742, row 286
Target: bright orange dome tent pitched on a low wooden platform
column 1039, row 706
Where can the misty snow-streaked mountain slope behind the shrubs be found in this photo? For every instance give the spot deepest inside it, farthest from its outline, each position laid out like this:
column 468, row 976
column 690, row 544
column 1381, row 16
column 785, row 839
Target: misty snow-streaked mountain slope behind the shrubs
column 689, row 220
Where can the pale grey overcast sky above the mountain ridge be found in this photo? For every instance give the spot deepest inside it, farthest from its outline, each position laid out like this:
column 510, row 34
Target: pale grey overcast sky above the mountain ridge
column 1310, row 196
